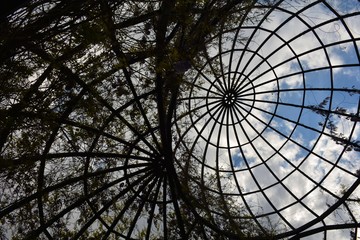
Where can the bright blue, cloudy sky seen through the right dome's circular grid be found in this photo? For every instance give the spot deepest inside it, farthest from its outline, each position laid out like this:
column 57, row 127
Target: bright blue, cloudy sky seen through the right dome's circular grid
column 276, row 152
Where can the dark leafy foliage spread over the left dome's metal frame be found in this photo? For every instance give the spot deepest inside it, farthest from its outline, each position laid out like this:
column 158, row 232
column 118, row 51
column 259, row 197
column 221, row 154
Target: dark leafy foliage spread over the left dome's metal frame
column 87, row 97
